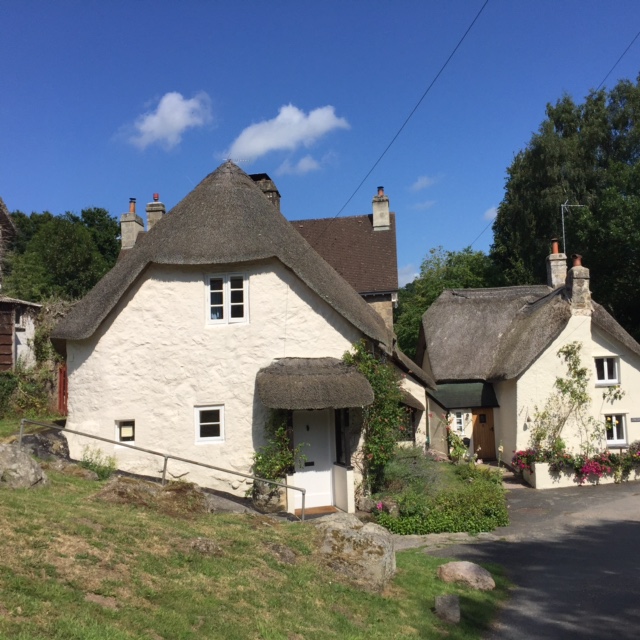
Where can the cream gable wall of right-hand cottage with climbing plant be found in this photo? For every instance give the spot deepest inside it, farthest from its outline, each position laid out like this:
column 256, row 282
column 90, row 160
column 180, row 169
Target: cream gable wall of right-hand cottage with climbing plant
column 536, row 384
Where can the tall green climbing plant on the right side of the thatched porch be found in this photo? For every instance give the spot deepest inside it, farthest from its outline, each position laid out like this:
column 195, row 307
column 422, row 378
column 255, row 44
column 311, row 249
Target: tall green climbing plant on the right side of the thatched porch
column 383, row 419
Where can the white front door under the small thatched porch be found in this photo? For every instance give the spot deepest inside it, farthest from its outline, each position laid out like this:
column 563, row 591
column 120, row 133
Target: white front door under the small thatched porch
column 313, row 429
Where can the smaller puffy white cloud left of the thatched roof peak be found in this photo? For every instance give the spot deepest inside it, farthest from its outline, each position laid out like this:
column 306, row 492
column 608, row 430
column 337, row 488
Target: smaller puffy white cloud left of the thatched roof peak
column 171, row 118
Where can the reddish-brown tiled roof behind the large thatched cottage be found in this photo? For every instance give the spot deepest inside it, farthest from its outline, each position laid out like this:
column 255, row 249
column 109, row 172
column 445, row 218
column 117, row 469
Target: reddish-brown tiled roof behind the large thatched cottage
column 365, row 258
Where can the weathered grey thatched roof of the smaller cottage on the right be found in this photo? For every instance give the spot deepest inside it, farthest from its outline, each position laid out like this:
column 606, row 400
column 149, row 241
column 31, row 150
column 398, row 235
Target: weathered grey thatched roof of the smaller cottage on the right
column 496, row 334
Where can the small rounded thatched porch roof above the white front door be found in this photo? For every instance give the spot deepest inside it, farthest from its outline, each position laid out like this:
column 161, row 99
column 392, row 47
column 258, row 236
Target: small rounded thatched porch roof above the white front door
column 312, row 383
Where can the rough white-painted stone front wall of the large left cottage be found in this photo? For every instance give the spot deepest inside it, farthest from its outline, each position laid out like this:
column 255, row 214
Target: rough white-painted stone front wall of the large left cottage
column 155, row 358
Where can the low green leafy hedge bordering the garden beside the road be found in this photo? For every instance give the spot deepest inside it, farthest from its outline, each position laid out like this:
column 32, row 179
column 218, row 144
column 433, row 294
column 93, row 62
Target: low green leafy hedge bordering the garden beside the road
column 477, row 506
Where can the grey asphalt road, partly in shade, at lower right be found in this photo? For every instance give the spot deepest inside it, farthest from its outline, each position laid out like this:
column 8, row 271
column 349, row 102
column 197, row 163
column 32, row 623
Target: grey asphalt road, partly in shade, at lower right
column 574, row 557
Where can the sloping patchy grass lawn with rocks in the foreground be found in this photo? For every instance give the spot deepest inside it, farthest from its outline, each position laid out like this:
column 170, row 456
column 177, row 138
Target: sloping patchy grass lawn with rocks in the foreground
column 74, row 568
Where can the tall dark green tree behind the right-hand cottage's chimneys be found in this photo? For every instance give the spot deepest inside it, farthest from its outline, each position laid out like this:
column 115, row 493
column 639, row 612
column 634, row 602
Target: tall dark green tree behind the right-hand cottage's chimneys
column 585, row 154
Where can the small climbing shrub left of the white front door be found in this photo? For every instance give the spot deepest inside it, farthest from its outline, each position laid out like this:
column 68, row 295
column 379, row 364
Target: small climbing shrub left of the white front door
column 278, row 457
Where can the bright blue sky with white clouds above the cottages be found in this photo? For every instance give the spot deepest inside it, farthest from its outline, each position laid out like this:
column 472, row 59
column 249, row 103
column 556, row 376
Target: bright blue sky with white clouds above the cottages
column 102, row 101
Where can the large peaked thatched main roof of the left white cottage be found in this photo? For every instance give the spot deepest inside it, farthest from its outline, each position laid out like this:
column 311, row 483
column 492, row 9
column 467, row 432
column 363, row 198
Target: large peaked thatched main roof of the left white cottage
column 226, row 219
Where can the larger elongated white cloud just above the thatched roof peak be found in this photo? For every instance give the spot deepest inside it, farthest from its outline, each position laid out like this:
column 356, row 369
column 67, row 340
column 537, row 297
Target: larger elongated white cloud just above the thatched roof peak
column 290, row 129
